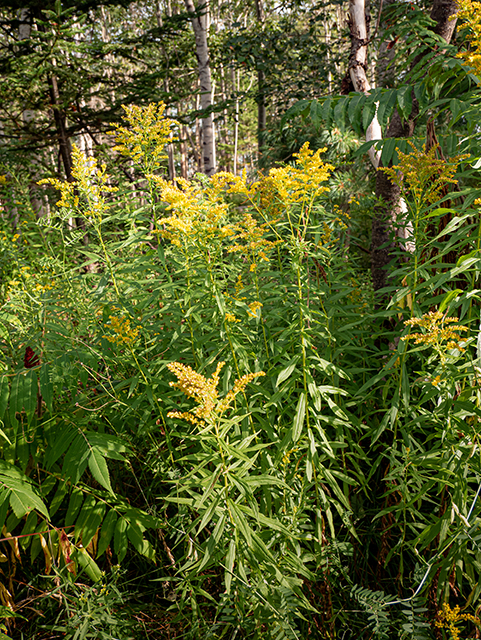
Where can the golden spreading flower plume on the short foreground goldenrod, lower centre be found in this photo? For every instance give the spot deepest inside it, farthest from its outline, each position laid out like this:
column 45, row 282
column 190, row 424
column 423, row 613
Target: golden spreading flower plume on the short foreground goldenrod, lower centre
column 204, row 391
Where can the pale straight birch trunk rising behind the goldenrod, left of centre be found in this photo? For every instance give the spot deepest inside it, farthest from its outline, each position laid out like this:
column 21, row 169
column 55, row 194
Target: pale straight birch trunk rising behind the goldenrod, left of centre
column 199, row 24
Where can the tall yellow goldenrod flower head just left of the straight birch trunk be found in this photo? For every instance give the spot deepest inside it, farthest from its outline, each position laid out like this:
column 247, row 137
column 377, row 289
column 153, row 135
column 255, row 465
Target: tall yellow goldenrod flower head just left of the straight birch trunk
column 145, row 138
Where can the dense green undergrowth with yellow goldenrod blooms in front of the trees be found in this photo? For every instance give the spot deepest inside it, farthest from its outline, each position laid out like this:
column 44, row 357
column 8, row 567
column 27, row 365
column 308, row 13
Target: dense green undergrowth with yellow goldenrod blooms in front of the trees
column 216, row 404
